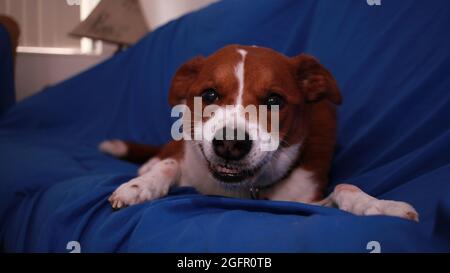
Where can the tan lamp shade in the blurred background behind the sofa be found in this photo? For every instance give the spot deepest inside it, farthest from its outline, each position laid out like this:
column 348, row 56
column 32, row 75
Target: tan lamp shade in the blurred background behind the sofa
column 119, row 21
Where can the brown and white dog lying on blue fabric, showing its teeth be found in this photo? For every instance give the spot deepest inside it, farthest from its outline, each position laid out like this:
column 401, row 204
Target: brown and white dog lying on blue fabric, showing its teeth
column 306, row 95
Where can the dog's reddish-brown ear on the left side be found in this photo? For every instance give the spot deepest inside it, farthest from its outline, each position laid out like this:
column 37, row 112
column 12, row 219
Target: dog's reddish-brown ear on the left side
column 183, row 79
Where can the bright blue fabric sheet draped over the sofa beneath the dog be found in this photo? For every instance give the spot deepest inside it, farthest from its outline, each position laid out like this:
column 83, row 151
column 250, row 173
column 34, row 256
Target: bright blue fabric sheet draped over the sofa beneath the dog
column 391, row 61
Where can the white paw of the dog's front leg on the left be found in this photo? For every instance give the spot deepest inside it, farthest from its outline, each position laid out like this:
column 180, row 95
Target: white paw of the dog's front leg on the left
column 137, row 191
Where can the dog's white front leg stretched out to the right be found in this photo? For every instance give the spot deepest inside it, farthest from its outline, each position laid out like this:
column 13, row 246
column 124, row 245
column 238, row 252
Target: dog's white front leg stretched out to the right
column 352, row 199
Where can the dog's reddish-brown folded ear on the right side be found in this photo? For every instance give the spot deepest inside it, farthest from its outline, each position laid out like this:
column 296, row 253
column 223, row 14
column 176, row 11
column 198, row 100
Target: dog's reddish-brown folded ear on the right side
column 315, row 81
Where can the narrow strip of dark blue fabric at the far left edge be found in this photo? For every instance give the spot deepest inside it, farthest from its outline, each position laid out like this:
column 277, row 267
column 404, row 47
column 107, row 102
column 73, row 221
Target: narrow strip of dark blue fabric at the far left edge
column 7, row 92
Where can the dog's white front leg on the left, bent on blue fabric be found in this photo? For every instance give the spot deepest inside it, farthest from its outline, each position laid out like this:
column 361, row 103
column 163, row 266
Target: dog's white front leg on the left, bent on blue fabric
column 152, row 185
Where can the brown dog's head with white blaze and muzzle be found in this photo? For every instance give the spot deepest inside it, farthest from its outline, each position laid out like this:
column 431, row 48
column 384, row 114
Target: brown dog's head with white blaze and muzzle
column 237, row 79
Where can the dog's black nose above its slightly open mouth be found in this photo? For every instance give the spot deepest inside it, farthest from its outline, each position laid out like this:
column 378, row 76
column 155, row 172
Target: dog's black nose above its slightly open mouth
column 234, row 149
